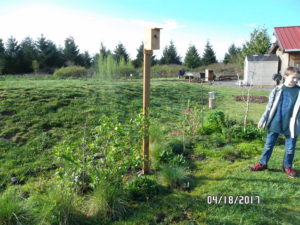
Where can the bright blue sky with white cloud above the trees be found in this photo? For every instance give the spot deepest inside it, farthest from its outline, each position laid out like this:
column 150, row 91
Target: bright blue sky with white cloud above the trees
column 188, row 22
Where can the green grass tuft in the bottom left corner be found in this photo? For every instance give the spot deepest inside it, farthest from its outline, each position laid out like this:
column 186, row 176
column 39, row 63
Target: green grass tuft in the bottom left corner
column 12, row 210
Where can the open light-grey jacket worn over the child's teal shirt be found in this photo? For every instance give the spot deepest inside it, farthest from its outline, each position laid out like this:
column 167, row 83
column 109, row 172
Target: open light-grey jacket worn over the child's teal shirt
column 271, row 109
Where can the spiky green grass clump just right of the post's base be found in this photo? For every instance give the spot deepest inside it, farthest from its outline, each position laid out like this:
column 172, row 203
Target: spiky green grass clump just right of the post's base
column 174, row 176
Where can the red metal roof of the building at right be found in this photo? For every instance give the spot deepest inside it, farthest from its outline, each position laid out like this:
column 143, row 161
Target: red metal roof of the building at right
column 288, row 38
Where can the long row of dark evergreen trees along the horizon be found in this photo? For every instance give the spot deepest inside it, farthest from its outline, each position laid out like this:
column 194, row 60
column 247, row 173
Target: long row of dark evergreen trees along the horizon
column 44, row 56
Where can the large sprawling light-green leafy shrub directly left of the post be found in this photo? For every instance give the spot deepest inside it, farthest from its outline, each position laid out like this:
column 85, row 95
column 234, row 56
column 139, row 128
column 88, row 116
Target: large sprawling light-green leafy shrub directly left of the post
column 114, row 149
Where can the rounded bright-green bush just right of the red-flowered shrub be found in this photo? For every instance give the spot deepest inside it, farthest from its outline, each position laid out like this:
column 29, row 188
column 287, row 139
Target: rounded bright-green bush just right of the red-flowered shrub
column 214, row 121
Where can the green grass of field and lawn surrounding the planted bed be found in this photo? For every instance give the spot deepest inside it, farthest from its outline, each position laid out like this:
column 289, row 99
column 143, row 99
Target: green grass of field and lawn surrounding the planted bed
column 36, row 114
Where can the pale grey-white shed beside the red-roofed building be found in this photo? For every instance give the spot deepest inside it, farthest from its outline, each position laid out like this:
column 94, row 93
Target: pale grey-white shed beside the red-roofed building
column 259, row 69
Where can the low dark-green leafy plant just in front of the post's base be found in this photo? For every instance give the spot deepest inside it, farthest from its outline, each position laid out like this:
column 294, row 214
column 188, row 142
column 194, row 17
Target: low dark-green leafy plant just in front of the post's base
column 143, row 188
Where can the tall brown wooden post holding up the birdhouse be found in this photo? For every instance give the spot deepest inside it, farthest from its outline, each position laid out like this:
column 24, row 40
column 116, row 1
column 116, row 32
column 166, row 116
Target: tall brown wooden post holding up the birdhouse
column 146, row 100
